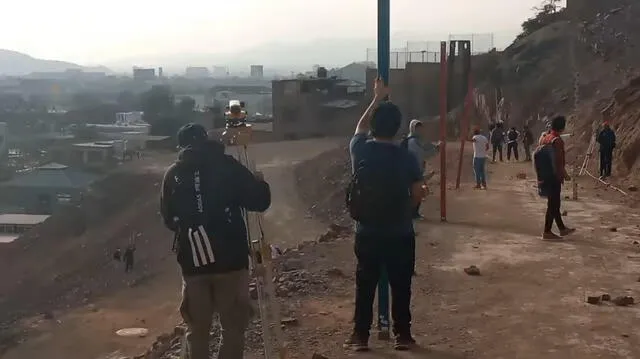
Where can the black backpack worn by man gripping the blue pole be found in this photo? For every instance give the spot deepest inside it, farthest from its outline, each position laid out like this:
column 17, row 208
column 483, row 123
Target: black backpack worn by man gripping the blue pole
column 378, row 193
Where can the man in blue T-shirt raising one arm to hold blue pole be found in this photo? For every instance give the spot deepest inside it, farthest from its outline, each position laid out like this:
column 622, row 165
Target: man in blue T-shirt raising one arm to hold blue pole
column 385, row 188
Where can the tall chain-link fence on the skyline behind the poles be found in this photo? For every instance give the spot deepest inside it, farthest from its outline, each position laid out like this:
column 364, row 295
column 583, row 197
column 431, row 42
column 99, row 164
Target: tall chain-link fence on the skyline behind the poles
column 429, row 51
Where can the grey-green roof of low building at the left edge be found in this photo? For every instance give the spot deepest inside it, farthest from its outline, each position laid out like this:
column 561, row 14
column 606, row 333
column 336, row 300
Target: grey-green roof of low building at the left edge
column 52, row 178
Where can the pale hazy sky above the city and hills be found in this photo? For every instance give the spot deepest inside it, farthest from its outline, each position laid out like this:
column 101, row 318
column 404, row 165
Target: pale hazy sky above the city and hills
column 87, row 33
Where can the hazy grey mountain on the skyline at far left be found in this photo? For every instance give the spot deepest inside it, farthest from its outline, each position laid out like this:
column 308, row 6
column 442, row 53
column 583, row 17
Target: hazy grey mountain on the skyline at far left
column 13, row 63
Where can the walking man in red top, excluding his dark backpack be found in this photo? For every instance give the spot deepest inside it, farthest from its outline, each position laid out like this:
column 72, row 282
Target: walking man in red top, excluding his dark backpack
column 554, row 188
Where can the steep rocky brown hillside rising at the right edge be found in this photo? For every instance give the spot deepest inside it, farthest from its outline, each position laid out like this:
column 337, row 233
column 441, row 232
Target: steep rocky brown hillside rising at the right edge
column 536, row 76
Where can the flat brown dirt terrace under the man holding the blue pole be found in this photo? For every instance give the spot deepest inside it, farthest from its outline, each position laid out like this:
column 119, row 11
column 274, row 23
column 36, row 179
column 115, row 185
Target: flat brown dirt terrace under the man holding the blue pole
column 529, row 302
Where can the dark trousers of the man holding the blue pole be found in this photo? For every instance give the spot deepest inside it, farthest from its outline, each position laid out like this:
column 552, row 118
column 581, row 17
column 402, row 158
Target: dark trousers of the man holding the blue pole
column 397, row 256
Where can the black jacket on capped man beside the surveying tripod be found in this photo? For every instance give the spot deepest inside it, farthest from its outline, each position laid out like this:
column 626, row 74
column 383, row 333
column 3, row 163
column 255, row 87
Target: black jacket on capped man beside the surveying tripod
column 226, row 189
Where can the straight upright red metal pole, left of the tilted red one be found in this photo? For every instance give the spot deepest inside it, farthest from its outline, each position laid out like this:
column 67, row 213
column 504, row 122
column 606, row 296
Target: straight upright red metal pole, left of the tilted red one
column 443, row 131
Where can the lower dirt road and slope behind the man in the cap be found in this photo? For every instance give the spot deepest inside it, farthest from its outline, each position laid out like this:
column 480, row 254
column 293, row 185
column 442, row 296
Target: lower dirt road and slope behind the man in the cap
column 149, row 296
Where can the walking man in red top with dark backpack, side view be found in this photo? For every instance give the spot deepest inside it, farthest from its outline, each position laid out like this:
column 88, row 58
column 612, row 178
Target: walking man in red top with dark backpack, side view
column 549, row 161
